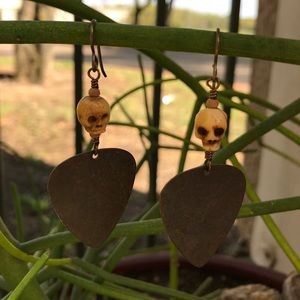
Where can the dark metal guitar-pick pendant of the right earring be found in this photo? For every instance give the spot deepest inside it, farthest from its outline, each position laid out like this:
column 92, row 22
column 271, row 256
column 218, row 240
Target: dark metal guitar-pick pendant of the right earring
column 199, row 208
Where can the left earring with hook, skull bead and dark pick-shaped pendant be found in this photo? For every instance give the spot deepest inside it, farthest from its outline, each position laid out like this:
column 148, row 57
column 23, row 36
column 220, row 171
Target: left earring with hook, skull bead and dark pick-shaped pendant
column 90, row 191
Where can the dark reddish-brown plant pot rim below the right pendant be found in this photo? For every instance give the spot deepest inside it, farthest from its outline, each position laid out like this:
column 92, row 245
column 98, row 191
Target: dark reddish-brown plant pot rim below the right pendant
column 239, row 271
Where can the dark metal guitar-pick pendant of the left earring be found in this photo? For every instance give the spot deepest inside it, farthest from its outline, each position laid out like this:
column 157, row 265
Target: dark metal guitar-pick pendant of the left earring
column 89, row 195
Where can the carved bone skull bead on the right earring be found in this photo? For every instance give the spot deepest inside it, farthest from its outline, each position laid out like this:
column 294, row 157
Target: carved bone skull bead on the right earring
column 210, row 126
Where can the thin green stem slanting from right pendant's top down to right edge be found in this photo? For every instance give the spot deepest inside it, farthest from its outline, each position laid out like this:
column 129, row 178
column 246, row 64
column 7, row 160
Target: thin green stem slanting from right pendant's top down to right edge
column 271, row 225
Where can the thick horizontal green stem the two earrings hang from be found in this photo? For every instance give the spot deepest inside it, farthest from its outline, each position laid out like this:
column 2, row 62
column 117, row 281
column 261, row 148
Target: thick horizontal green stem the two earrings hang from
column 150, row 37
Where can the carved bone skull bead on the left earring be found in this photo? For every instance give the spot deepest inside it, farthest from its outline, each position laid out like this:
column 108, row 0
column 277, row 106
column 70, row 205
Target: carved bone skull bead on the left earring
column 93, row 114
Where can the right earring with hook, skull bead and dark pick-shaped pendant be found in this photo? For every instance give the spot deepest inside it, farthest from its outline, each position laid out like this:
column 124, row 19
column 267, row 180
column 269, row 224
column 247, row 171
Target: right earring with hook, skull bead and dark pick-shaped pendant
column 199, row 206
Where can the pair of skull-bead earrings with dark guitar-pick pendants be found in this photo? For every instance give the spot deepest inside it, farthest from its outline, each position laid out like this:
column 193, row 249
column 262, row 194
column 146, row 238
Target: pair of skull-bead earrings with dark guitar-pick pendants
column 89, row 192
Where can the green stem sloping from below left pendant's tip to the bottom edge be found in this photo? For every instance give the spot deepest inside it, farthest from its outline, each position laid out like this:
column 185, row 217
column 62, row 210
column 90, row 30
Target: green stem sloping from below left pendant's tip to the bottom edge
column 132, row 283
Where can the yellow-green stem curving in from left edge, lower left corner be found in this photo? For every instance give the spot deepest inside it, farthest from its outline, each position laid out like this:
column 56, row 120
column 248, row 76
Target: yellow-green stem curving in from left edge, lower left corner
column 19, row 254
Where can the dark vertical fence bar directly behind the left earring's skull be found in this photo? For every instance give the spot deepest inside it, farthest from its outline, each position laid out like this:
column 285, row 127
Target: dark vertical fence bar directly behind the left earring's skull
column 78, row 59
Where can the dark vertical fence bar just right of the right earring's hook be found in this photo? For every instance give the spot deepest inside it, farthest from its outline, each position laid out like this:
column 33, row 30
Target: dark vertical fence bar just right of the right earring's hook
column 231, row 61
